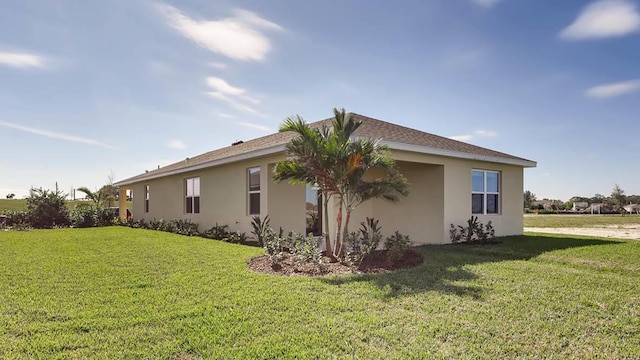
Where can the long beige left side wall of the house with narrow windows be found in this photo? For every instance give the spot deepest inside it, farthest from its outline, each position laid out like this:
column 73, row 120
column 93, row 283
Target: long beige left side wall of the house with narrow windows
column 224, row 198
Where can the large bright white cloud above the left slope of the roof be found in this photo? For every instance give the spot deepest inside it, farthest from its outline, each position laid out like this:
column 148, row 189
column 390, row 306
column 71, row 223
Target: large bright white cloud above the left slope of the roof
column 238, row 37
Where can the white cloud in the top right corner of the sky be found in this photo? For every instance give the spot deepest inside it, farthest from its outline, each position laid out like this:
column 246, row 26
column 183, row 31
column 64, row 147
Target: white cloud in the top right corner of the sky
column 605, row 18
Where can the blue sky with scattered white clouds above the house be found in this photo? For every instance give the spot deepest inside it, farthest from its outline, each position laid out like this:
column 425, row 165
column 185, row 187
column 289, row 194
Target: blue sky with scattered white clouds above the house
column 93, row 88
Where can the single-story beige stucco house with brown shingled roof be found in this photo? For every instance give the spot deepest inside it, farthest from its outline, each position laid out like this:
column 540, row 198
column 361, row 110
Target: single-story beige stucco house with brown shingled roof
column 449, row 182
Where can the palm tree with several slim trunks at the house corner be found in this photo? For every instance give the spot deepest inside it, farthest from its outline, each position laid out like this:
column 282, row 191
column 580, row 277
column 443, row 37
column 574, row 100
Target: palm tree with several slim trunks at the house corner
column 330, row 159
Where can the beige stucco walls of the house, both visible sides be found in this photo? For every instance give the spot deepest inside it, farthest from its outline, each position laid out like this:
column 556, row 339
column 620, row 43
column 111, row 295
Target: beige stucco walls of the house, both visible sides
column 440, row 194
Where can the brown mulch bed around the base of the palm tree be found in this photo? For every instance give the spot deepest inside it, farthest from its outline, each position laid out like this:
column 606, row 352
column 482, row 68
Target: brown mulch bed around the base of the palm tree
column 376, row 262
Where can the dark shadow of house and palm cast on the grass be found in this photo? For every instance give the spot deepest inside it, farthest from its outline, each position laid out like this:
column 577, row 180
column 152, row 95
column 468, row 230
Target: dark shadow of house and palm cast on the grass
column 444, row 269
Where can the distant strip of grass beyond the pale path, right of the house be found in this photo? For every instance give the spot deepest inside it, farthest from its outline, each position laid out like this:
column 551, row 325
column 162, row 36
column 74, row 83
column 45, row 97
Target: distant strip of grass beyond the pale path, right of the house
column 559, row 221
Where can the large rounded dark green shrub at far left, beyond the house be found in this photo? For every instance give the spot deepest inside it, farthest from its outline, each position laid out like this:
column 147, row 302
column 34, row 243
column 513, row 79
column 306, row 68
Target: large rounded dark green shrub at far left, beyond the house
column 47, row 209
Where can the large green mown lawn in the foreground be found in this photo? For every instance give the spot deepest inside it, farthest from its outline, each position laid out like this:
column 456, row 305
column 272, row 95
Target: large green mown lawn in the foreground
column 130, row 293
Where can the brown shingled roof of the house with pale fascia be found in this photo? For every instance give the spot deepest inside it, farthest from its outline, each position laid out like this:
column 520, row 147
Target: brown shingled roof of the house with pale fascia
column 395, row 136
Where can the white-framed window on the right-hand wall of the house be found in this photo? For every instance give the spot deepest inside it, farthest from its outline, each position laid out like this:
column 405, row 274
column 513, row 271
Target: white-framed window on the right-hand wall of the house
column 485, row 192
